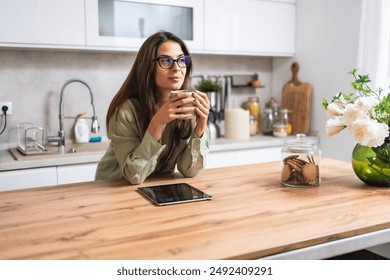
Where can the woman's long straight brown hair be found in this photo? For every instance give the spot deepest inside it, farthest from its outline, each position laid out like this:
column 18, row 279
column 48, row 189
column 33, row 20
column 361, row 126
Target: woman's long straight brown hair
column 140, row 85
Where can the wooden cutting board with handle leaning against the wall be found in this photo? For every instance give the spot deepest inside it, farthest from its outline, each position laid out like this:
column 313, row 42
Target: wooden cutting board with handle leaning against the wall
column 297, row 96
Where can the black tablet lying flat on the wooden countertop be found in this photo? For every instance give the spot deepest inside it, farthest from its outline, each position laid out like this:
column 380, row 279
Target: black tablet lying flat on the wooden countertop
column 173, row 194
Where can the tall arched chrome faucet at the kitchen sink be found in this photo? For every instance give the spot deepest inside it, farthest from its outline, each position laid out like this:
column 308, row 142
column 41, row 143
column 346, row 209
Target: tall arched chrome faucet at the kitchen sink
column 60, row 138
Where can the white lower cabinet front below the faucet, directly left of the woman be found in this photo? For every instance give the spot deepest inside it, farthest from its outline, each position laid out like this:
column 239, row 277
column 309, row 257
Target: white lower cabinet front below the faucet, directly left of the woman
column 76, row 173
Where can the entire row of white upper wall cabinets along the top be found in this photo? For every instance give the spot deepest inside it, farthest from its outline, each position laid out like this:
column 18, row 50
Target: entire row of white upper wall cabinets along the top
column 245, row 27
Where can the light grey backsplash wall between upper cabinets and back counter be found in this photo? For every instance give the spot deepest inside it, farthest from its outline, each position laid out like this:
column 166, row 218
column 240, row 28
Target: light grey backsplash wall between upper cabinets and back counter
column 32, row 81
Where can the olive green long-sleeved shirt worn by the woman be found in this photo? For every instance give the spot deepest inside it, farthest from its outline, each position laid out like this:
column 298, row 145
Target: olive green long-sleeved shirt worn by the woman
column 135, row 157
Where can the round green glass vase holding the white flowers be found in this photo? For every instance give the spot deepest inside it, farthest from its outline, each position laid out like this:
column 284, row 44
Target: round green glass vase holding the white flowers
column 372, row 165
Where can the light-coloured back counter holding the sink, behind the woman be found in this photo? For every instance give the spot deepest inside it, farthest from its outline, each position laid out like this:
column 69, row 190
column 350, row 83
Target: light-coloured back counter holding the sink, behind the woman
column 10, row 162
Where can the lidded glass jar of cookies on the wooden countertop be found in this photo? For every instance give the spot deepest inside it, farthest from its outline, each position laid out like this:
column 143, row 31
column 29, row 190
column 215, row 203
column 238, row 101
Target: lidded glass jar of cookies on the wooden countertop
column 301, row 162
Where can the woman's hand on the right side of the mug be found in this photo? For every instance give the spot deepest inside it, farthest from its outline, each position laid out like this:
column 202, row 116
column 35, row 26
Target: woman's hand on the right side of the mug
column 202, row 110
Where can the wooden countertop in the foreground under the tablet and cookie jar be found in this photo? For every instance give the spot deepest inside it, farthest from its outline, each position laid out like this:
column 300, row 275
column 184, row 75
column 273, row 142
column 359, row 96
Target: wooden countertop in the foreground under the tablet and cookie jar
column 251, row 216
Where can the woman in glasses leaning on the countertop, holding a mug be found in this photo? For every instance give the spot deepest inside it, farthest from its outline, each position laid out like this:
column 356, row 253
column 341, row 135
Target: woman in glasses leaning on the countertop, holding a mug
column 149, row 132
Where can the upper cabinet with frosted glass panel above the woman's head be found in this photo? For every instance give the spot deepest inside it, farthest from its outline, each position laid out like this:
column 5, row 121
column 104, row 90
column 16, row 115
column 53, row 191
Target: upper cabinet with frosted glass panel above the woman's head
column 125, row 24
